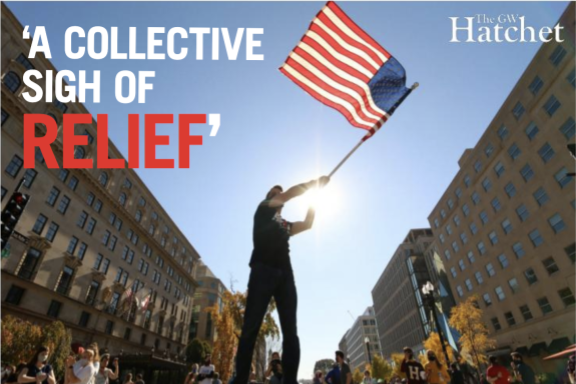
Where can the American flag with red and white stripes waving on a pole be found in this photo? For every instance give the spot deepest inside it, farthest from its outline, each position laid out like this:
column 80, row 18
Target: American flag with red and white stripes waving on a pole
column 343, row 67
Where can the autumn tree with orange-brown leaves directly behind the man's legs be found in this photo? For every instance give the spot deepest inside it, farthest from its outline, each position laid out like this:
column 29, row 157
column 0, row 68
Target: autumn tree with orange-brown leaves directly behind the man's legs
column 228, row 319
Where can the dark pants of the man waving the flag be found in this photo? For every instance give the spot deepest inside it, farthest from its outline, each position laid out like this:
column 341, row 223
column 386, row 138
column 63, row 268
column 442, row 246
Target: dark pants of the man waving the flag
column 267, row 282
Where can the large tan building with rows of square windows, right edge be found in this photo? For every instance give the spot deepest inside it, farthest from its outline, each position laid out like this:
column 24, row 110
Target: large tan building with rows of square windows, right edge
column 504, row 228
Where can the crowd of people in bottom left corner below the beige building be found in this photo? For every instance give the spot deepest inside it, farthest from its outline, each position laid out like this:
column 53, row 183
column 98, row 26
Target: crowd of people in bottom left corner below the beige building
column 83, row 366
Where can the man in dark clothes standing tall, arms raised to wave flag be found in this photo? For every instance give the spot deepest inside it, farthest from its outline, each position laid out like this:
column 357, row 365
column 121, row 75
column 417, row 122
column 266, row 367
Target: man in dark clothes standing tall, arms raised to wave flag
column 271, row 276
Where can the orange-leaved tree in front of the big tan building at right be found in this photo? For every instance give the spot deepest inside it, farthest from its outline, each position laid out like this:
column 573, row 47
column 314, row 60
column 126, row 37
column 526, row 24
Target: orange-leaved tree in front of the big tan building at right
column 466, row 318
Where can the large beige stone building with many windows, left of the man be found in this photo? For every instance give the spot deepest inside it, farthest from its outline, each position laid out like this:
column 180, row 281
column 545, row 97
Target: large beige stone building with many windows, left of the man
column 92, row 241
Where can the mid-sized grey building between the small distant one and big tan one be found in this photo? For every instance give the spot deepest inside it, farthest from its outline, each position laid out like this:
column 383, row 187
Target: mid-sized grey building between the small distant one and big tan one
column 400, row 313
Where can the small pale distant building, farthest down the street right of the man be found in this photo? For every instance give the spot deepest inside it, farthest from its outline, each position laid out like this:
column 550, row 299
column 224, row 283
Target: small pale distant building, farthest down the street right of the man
column 361, row 341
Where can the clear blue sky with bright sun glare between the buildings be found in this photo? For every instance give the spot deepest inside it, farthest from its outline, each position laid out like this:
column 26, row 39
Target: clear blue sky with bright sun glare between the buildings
column 272, row 132
